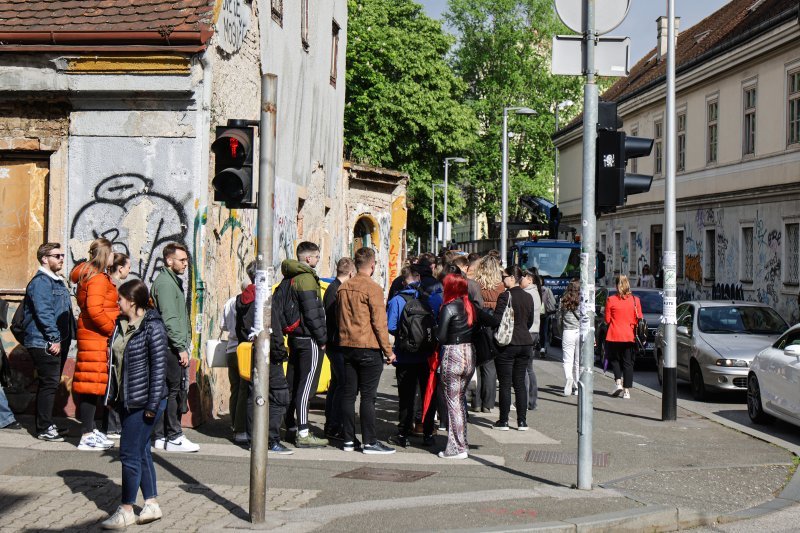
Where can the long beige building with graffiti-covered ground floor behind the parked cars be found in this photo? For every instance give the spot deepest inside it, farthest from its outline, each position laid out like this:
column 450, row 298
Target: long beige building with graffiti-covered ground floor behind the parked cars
column 738, row 158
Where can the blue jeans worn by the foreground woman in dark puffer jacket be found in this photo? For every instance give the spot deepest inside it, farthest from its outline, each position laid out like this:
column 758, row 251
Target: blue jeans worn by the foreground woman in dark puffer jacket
column 134, row 453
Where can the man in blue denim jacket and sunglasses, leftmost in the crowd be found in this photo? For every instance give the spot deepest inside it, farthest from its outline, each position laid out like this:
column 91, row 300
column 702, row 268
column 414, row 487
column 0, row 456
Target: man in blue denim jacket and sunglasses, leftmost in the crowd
column 49, row 328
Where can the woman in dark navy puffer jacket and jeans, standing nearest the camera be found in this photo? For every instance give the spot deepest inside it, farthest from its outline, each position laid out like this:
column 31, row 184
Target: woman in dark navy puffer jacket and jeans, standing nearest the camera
column 138, row 391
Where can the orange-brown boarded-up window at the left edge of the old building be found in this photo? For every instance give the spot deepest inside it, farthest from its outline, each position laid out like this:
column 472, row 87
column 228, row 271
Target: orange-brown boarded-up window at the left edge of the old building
column 23, row 213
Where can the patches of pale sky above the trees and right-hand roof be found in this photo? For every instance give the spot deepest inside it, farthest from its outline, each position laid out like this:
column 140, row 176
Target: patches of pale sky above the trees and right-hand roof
column 639, row 25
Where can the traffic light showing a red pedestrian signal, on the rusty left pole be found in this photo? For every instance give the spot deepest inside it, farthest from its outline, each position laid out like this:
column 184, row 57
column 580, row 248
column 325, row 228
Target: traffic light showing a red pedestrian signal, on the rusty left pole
column 233, row 168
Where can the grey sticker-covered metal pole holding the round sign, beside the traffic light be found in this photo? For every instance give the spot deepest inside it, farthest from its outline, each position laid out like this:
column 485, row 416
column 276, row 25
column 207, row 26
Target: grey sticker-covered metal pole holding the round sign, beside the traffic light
column 586, row 385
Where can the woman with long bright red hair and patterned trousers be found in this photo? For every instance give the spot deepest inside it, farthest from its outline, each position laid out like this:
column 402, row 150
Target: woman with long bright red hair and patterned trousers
column 454, row 333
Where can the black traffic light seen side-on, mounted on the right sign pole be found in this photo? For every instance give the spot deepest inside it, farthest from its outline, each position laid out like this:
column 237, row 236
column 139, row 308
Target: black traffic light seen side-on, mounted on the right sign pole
column 614, row 149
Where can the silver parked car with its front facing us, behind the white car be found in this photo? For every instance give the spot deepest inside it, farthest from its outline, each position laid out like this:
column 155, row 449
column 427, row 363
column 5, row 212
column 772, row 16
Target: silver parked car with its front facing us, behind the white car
column 717, row 341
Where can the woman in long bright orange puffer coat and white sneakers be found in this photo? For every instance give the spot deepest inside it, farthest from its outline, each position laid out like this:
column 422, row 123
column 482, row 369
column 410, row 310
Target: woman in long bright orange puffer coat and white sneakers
column 97, row 299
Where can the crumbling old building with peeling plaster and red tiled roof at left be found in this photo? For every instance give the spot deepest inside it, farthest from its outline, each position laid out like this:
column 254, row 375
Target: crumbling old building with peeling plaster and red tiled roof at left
column 106, row 123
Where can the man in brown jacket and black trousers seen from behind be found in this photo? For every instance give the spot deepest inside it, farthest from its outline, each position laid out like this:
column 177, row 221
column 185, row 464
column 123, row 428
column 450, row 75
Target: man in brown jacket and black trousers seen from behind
column 364, row 339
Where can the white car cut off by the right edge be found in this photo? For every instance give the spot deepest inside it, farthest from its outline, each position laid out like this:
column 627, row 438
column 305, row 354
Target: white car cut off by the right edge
column 773, row 383
